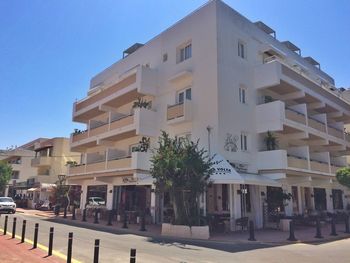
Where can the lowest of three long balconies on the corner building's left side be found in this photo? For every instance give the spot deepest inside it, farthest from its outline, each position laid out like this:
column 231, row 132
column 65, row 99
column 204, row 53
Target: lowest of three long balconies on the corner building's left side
column 137, row 161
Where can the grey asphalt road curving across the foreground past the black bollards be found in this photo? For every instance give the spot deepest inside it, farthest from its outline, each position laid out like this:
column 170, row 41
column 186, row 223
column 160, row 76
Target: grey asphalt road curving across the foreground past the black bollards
column 116, row 247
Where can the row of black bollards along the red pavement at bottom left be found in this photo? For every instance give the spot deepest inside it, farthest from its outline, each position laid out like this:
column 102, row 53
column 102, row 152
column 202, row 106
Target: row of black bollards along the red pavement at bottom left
column 51, row 239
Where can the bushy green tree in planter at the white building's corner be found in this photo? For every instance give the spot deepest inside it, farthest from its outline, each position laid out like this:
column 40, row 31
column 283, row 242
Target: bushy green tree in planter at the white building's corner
column 182, row 169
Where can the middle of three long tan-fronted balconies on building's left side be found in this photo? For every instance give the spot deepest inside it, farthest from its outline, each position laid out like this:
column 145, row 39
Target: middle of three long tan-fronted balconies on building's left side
column 141, row 123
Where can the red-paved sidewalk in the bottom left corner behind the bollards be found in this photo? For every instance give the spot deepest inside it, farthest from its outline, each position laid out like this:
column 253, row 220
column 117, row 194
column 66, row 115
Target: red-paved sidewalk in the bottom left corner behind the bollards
column 11, row 250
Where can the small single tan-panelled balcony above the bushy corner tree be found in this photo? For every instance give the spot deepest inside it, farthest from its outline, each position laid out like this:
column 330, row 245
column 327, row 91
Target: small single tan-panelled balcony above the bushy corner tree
column 179, row 113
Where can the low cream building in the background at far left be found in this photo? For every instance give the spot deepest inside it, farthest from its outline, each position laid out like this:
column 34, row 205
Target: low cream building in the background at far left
column 36, row 166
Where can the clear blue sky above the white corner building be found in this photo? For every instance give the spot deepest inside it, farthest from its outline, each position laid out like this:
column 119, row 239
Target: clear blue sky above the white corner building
column 49, row 50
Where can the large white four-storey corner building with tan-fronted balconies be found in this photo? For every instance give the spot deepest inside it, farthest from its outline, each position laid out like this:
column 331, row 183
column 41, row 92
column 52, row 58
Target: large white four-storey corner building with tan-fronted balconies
column 217, row 77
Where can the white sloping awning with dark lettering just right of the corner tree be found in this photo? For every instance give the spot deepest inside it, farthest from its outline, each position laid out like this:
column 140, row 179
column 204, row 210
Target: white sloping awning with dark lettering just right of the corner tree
column 224, row 173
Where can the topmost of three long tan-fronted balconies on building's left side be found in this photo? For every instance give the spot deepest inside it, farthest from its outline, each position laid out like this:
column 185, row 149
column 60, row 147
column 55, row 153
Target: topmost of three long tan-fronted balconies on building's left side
column 135, row 83
